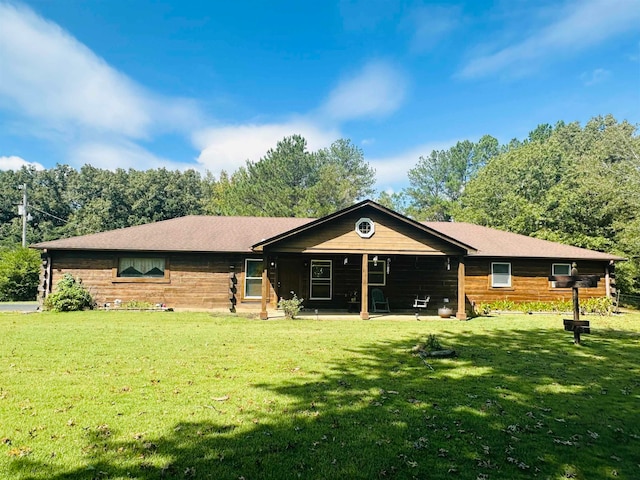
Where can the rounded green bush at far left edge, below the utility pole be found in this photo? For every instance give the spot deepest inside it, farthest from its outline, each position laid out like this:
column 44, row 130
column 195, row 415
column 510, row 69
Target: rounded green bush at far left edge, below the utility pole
column 19, row 274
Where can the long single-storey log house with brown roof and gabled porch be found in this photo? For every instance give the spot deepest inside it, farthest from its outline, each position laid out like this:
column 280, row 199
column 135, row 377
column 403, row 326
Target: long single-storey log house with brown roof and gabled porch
column 334, row 262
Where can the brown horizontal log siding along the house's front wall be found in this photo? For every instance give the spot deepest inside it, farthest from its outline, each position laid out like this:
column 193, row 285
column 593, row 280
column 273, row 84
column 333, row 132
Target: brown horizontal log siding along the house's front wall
column 202, row 281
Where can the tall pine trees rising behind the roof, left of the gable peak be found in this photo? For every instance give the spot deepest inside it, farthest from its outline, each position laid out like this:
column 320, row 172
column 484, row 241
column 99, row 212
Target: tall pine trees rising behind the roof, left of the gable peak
column 290, row 181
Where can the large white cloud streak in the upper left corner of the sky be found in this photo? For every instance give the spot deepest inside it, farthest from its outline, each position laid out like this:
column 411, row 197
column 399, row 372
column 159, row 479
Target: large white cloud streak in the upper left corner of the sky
column 47, row 75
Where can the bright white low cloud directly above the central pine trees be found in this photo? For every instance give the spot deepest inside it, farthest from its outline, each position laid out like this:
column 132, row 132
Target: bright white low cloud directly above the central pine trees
column 228, row 147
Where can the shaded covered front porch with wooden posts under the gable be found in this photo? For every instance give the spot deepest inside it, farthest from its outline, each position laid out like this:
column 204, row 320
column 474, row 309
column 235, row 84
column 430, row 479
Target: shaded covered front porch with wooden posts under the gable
column 333, row 285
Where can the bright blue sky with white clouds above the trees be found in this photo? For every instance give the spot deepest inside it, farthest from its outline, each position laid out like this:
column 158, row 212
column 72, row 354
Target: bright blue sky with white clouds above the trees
column 209, row 84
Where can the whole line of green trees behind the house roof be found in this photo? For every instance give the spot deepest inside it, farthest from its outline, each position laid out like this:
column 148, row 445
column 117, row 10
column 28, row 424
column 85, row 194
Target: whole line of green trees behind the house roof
column 570, row 183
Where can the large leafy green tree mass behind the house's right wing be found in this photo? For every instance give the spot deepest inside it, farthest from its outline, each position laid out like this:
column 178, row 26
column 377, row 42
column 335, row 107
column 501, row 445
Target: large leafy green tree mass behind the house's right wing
column 577, row 185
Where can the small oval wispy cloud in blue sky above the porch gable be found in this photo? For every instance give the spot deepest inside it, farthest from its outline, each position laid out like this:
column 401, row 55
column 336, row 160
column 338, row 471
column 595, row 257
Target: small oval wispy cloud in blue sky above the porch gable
column 378, row 89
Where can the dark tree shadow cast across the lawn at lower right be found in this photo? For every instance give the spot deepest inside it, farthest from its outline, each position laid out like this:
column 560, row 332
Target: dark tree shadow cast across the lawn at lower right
column 513, row 404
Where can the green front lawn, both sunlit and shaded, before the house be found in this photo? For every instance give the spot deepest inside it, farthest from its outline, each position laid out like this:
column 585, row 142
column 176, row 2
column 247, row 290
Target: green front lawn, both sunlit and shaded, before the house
column 189, row 395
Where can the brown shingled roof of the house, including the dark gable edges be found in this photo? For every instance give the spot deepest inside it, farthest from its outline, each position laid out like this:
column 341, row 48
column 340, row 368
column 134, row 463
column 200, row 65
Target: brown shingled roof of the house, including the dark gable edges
column 208, row 234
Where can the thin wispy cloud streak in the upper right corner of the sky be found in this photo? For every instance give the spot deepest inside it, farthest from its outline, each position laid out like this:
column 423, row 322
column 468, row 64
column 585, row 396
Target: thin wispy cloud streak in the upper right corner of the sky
column 578, row 26
